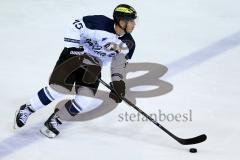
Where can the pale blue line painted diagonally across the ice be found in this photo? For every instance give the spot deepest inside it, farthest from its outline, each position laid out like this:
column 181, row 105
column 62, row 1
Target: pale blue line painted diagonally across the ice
column 31, row 135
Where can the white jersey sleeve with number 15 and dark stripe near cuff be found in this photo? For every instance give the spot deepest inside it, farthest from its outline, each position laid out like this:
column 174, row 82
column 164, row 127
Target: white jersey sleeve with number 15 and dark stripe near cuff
column 73, row 33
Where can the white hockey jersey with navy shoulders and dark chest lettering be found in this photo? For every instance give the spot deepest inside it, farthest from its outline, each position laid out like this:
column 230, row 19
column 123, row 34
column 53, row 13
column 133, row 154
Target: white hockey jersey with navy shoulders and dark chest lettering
column 97, row 35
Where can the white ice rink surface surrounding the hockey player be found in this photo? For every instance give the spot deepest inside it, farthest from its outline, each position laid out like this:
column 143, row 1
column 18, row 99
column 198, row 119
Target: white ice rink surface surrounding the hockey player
column 197, row 40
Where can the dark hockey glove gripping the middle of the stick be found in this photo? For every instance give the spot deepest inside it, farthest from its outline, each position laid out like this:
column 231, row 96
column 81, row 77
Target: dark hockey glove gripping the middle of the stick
column 119, row 88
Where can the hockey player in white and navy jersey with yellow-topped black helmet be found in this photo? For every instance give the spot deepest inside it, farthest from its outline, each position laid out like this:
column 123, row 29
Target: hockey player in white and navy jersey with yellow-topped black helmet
column 96, row 40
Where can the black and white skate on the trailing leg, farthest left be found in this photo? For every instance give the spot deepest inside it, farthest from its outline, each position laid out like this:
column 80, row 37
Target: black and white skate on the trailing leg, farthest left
column 22, row 115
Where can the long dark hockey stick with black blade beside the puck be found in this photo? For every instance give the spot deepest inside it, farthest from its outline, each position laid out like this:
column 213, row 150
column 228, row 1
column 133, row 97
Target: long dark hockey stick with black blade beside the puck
column 188, row 141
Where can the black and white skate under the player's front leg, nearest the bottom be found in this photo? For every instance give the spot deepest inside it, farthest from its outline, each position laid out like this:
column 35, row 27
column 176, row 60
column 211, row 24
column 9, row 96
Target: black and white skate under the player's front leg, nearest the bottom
column 50, row 126
